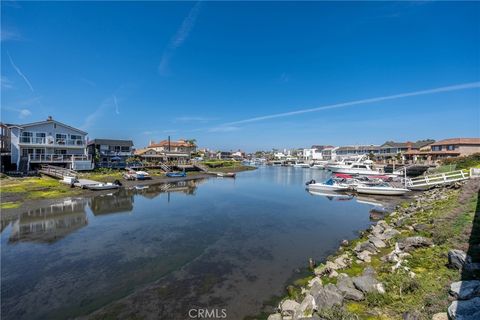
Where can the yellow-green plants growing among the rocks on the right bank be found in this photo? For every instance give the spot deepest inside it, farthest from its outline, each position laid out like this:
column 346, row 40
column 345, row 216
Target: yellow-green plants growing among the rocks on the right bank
column 420, row 286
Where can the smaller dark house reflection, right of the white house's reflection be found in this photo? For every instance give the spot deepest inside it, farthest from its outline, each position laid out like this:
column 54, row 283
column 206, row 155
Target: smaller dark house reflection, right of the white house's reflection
column 121, row 201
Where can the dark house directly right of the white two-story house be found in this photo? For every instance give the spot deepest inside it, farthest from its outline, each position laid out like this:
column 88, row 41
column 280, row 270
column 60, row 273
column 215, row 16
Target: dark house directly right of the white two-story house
column 110, row 153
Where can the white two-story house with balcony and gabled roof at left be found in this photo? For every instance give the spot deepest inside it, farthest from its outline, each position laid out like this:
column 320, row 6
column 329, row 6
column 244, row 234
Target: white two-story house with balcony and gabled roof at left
column 49, row 142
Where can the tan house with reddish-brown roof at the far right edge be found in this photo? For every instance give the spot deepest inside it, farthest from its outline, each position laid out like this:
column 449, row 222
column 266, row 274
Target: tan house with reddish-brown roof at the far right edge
column 448, row 148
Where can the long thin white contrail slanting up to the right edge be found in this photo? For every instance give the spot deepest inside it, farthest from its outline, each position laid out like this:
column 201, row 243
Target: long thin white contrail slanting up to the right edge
column 357, row 102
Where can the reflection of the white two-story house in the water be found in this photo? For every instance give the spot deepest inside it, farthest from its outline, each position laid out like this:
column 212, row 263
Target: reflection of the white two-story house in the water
column 49, row 224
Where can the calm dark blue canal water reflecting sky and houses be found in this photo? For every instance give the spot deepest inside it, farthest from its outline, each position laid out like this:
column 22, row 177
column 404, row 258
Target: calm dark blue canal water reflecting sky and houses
column 162, row 250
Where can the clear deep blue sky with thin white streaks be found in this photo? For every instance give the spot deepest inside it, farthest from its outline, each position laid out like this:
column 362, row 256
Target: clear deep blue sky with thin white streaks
column 147, row 70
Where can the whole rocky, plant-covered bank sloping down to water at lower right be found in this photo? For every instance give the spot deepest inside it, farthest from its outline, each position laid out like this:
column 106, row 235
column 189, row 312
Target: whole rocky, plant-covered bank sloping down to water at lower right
column 420, row 262
